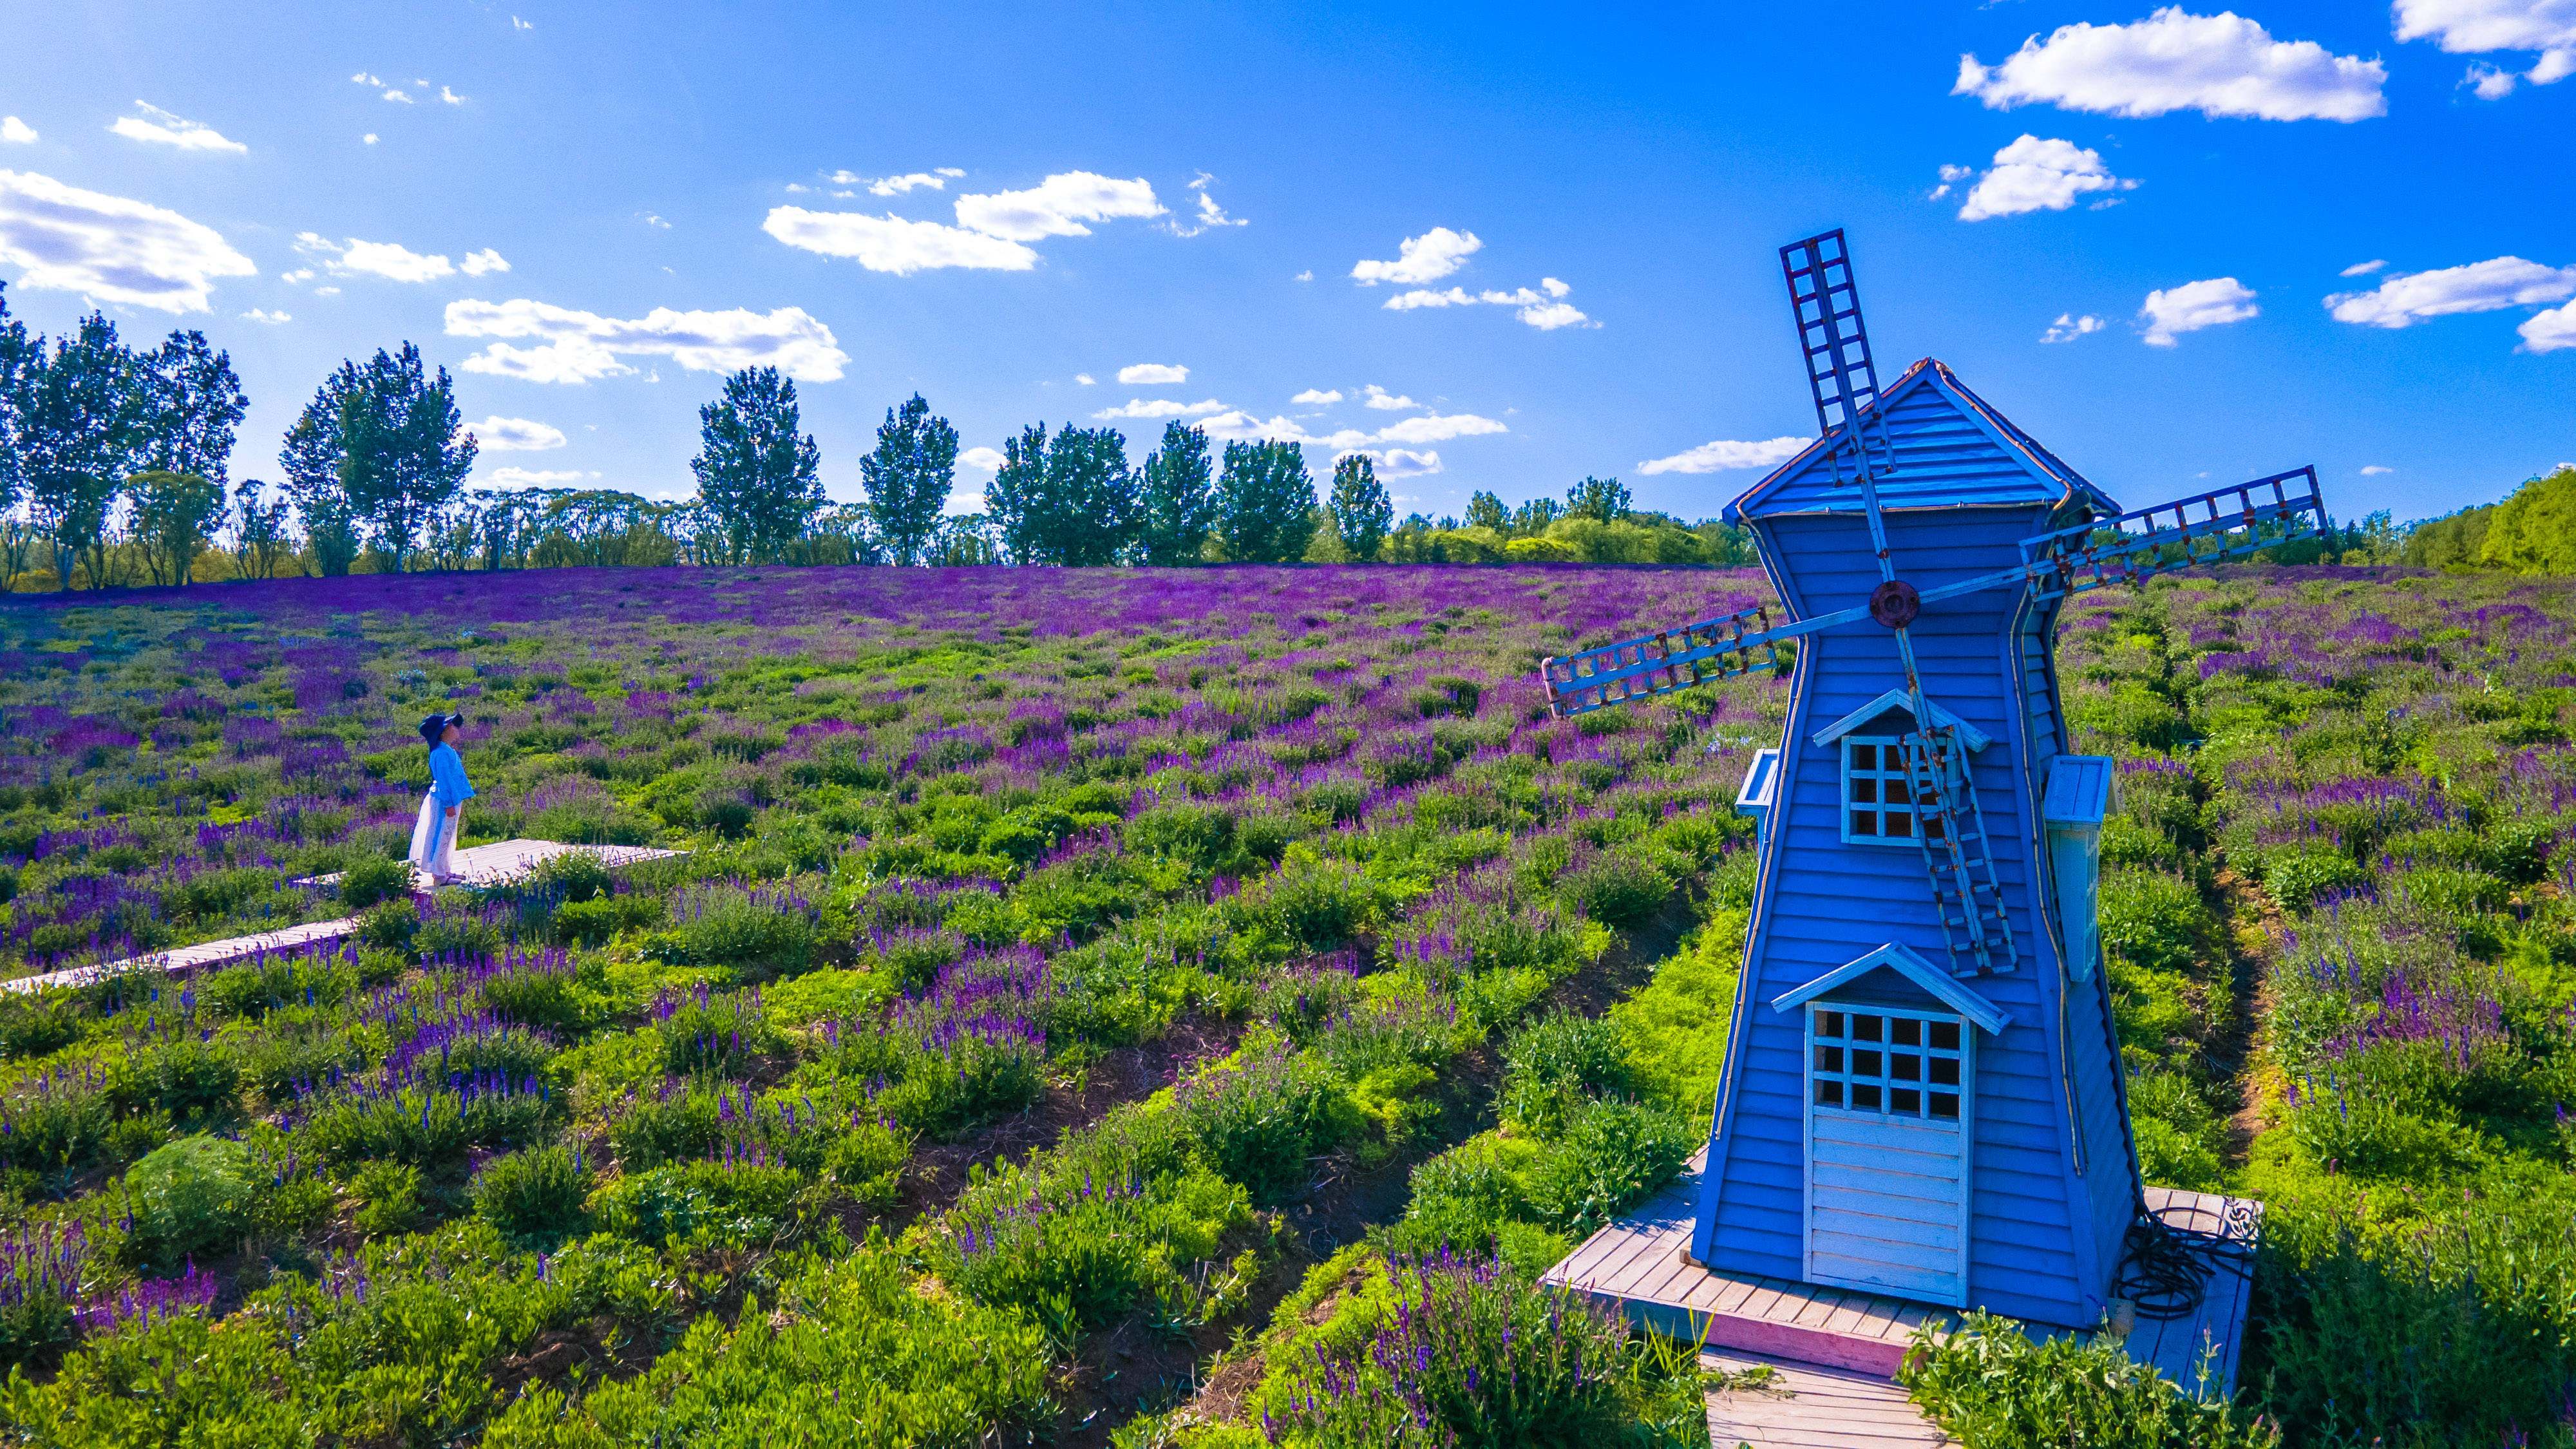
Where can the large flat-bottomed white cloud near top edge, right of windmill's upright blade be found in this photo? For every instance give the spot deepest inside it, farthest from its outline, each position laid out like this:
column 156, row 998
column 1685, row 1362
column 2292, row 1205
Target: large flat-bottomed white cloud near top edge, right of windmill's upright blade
column 2219, row 66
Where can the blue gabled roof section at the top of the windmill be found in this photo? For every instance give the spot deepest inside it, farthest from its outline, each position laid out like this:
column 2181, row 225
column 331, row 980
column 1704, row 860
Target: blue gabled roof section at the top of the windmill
column 1951, row 447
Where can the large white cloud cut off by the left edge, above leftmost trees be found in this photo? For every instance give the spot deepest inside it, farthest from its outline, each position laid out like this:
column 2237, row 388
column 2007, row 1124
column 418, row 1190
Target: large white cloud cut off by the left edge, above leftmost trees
column 109, row 249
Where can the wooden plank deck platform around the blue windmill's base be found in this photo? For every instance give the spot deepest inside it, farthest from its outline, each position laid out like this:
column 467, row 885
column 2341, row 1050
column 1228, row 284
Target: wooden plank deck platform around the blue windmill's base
column 1848, row 1345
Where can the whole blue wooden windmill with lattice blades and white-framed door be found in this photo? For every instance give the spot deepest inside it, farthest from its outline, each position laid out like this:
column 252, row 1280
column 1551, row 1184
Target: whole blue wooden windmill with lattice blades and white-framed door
column 1923, row 1092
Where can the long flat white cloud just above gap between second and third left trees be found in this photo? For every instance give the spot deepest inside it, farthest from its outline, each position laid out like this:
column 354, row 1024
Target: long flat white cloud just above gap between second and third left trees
column 578, row 347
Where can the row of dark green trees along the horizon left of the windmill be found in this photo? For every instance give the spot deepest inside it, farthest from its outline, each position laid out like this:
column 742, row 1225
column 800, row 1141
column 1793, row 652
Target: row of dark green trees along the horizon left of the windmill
column 115, row 468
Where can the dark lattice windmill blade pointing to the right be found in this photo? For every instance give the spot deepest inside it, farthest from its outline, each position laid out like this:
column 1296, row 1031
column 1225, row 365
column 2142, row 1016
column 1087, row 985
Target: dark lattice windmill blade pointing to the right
column 2232, row 525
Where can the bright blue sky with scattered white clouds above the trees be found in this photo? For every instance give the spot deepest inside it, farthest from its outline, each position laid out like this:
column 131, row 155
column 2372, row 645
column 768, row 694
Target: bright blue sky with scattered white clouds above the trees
column 1547, row 238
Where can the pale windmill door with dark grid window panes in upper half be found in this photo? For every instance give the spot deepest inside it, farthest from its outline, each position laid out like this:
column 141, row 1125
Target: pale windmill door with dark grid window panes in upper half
column 1887, row 1151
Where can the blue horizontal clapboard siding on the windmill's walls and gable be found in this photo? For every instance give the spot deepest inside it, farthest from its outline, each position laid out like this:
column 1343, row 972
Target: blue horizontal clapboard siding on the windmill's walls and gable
column 2049, row 1177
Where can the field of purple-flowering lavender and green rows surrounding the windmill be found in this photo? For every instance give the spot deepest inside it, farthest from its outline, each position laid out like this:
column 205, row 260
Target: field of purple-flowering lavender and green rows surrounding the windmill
column 1171, row 1007
